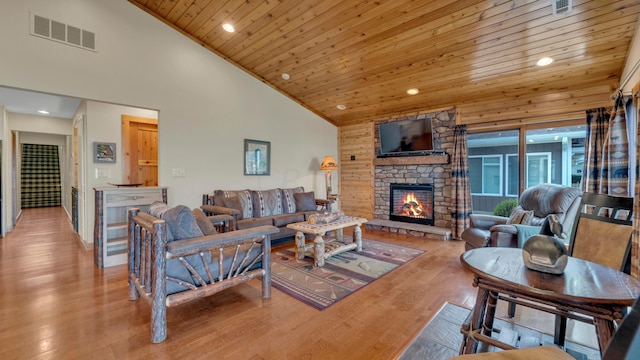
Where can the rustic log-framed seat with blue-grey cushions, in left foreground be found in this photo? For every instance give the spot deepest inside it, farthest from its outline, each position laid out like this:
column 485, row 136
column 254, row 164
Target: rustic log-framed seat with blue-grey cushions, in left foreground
column 172, row 261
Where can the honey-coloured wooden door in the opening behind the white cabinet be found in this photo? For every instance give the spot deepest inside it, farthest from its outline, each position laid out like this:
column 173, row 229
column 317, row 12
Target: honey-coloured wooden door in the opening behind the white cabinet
column 140, row 150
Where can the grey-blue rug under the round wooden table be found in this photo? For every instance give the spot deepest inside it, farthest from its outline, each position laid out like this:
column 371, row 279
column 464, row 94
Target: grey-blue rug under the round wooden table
column 441, row 337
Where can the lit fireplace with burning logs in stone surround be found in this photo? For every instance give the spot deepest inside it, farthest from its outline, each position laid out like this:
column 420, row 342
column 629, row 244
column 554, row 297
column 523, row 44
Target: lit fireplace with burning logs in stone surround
column 411, row 203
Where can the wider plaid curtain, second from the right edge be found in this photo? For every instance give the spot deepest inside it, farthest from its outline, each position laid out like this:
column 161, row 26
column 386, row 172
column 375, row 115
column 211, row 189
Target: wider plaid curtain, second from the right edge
column 614, row 175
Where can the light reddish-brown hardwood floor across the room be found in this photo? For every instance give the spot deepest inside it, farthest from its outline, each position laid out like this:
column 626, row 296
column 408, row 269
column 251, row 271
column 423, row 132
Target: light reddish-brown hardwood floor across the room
column 54, row 304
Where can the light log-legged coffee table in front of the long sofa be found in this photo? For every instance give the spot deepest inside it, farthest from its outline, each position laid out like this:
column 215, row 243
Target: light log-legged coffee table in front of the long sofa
column 322, row 249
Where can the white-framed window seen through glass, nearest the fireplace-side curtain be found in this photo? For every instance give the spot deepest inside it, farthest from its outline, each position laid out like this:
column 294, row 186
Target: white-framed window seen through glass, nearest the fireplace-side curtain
column 490, row 169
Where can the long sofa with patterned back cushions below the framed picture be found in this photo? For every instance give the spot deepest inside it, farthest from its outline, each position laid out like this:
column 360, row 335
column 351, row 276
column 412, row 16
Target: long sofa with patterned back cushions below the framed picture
column 276, row 207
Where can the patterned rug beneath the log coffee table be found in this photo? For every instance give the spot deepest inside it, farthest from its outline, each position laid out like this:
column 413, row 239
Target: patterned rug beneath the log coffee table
column 342, row 274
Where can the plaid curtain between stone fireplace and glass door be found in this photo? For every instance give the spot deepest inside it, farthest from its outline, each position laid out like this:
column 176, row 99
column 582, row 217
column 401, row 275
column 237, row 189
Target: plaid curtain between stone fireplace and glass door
column 461, row 192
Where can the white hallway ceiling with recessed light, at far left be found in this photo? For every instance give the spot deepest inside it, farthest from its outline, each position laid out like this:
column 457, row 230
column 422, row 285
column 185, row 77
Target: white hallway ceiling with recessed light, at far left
column 29, row 102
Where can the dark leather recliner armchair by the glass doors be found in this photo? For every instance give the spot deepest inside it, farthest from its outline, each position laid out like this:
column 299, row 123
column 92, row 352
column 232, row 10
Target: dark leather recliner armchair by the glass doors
column 542, row 199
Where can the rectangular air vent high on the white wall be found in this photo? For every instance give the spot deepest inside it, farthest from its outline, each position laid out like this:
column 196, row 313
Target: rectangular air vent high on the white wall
column 63, row 33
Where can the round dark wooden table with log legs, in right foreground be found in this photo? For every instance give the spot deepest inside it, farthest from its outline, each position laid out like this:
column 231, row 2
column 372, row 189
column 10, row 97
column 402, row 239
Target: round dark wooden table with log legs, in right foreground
column 586, row 291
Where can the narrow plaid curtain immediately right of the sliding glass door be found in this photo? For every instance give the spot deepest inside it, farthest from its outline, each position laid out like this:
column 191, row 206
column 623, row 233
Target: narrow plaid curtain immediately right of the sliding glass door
column 597, row 126
